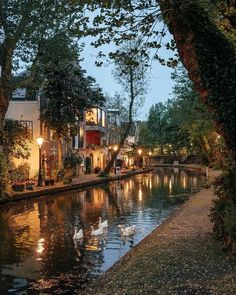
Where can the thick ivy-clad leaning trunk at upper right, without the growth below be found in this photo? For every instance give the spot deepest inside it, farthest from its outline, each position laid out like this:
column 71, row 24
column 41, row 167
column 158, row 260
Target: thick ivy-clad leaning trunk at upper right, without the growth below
column 210, row 59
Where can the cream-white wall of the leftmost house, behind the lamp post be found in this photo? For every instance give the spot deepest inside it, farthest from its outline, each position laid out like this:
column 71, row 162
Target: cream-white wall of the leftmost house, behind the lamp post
column 27, row 111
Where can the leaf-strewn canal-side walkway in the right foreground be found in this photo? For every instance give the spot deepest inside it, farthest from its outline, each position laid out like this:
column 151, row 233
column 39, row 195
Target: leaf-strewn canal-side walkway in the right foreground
column 180, row 257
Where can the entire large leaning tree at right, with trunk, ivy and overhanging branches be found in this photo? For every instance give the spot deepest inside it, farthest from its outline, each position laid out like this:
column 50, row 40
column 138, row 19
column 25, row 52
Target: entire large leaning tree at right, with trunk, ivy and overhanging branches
column 208, row 52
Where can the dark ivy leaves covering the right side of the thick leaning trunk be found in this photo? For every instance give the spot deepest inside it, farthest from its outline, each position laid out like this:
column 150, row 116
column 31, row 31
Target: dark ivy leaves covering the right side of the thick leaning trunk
column 218, row 73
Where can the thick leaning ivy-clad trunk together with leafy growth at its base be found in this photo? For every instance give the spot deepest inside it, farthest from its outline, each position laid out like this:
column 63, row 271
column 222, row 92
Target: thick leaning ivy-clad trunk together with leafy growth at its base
column 210, row 59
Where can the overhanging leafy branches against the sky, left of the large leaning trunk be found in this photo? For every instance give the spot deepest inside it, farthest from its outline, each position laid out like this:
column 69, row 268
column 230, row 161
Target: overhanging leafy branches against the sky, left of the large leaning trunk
column 140, row 20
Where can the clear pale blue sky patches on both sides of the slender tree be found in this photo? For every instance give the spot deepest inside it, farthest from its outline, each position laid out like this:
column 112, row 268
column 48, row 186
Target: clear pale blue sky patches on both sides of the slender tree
column 160, row 82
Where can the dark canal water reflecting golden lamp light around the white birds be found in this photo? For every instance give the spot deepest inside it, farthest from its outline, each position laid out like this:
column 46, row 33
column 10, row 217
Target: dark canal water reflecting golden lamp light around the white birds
column 37, row 251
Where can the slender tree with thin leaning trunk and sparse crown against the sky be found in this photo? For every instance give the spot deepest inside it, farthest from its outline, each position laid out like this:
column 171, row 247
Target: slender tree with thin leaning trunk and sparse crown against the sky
column 130, row 73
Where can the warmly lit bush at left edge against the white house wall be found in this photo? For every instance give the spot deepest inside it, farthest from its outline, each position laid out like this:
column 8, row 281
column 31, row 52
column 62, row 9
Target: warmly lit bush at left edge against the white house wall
column 15, row 140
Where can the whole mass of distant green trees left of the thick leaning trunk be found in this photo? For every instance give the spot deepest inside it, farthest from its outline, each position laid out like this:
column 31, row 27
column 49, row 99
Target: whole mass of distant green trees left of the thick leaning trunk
column 181, row 122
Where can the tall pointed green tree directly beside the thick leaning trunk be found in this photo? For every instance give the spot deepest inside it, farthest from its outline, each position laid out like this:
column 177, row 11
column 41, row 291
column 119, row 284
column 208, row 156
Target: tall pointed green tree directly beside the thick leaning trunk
column 191, row 122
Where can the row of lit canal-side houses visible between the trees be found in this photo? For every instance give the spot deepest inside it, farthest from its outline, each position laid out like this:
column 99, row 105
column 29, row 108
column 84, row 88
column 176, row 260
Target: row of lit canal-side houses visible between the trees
column 99, row 132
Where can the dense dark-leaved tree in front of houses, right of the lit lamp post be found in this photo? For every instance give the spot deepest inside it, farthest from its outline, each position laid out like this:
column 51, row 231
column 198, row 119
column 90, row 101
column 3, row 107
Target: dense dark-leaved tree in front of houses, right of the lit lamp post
column 67, row 91
